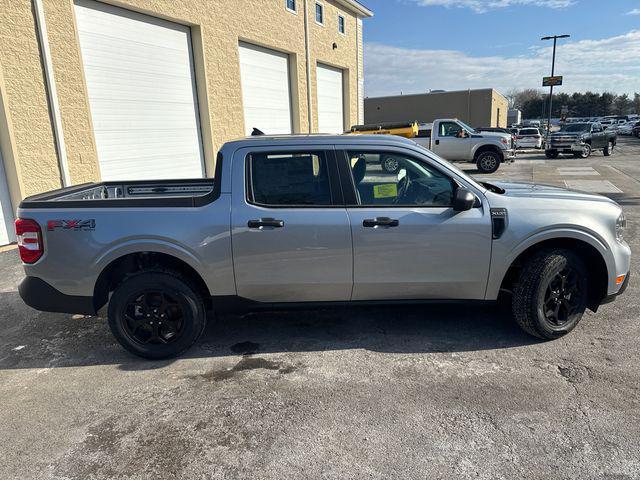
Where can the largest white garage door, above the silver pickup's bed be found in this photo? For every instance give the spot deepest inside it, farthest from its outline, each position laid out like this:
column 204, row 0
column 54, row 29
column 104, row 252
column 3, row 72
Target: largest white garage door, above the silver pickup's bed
column 139, row 73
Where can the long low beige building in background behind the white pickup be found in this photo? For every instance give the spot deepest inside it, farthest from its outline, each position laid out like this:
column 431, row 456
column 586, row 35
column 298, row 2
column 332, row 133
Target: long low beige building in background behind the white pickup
column 478, row 108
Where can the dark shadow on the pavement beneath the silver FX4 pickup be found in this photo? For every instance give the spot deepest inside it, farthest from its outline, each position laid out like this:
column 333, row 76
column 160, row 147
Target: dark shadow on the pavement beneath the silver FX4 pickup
column 34, row 339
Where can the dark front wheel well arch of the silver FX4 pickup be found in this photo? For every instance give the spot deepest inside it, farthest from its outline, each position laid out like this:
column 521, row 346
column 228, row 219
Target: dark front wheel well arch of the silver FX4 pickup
column 598, row 274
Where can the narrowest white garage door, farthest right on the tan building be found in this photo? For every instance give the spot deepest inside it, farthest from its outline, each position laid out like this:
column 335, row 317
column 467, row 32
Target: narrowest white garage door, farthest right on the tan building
column 330, row 100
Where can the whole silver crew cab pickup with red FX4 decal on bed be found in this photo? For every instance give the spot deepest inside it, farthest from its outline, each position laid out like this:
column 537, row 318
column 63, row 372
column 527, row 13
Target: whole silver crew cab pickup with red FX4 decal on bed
column 309, row 220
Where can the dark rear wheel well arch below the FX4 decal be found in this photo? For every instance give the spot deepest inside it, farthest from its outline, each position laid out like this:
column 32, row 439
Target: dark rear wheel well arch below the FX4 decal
column 133, row 263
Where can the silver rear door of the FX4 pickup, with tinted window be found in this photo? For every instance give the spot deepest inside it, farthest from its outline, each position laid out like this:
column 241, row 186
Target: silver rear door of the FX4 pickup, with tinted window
column 291, row 235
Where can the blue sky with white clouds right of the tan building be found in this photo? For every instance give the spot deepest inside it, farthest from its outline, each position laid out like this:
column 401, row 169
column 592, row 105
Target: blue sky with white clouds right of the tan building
column 413, row 46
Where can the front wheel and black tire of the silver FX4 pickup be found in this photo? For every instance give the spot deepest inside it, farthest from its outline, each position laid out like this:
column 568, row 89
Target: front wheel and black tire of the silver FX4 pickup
column 540, row 305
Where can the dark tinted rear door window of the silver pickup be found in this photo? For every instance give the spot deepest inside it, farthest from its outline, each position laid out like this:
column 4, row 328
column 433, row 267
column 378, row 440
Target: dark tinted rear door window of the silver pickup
column 289, row 179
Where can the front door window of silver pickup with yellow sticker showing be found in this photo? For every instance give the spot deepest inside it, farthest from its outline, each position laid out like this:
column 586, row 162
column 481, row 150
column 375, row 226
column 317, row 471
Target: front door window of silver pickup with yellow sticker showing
column 391, row 179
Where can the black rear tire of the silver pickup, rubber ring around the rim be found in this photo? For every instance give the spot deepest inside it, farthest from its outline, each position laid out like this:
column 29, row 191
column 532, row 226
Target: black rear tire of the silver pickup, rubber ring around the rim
column 194, row 311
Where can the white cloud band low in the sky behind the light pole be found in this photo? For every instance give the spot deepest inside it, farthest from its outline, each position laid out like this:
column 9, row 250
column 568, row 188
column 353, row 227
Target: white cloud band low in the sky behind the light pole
column 609, row 64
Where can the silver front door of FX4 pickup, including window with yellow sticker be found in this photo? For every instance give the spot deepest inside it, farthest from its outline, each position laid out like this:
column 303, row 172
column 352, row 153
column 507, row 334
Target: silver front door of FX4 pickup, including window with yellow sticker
column 408, row 242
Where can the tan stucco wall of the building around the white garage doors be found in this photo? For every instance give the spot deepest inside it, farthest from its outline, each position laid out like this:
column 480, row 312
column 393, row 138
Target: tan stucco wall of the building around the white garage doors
column 217, row 26
